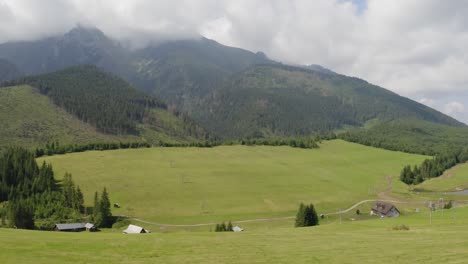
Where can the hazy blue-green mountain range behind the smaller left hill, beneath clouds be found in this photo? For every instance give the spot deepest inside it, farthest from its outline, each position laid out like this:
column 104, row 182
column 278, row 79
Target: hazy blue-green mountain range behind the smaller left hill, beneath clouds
column 232, row 92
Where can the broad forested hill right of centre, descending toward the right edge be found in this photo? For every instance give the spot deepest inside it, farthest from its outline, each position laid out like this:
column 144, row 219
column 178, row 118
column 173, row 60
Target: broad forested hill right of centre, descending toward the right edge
column 268, row 100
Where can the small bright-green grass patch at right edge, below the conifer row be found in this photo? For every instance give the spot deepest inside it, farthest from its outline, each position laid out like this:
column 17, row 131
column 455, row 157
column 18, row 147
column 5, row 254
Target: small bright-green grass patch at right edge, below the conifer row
column 454, row 179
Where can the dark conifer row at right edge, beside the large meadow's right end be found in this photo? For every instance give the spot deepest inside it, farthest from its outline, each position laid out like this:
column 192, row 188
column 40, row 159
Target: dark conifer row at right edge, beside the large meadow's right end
column 431, row 168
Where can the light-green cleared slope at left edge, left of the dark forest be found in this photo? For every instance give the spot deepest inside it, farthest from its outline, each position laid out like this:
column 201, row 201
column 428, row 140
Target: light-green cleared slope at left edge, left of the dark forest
column 31, row 119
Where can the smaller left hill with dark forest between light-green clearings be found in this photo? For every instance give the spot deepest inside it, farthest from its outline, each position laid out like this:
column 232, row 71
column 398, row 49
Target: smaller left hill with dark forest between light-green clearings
column 83, row 104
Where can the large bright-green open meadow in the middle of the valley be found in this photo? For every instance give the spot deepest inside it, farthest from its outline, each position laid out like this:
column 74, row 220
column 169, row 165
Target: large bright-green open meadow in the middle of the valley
column 199, row 185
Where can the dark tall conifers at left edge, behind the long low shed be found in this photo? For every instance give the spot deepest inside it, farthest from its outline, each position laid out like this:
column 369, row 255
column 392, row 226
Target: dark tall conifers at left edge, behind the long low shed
column 32, row 198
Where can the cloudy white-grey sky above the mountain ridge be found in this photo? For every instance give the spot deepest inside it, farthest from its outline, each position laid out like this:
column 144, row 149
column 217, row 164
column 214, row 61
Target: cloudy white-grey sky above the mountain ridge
column 416, row 48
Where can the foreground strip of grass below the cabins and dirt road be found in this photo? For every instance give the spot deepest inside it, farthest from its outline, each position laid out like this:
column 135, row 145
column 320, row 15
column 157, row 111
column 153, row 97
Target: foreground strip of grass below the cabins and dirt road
column 350, row 242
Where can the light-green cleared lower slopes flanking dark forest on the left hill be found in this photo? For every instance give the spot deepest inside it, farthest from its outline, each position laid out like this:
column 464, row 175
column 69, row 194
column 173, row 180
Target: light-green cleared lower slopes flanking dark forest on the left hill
column 31, row 119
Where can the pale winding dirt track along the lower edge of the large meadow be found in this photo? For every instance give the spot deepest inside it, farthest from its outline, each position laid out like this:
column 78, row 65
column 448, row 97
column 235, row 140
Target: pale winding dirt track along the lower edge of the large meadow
column 270, row 218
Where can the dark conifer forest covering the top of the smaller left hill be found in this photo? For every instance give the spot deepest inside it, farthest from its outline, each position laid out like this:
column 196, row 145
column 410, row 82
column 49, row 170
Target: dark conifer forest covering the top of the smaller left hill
column 96, row 97
